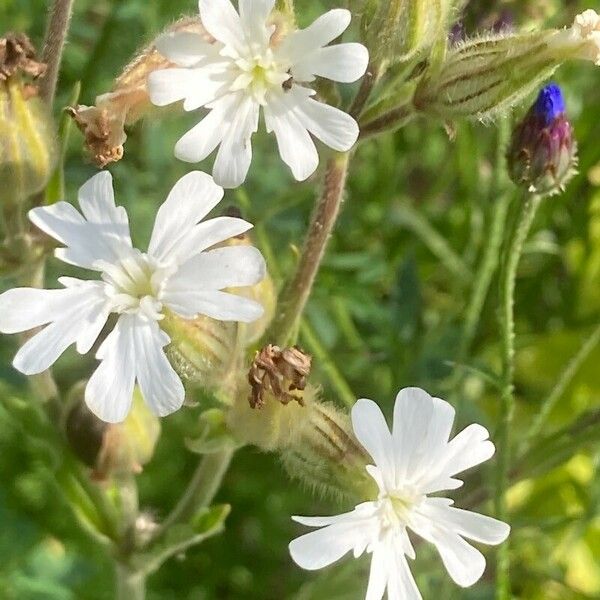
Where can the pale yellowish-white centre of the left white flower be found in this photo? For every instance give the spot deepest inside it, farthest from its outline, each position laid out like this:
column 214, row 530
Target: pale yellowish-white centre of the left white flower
column 134, row 285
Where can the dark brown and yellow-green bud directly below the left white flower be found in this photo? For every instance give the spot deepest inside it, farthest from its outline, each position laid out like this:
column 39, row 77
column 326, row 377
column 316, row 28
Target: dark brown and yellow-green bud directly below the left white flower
column 111, row 449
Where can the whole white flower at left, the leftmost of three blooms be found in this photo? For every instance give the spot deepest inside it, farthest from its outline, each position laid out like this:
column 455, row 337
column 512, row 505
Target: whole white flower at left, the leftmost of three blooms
column 178, row 273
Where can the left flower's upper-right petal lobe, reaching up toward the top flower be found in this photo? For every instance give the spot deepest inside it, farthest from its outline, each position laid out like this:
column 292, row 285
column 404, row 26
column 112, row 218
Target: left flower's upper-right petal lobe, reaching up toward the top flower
column 190, row 200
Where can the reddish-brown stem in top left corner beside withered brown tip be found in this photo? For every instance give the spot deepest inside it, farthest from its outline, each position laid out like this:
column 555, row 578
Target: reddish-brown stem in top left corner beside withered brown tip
column 56, row 34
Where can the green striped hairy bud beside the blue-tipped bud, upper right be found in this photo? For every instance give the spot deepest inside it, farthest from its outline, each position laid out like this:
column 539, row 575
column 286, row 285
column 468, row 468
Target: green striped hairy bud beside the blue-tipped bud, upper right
column 486, row 76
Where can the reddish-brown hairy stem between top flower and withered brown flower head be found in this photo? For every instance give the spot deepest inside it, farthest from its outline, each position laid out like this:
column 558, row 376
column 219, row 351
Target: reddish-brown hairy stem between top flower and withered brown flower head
column 295, row 296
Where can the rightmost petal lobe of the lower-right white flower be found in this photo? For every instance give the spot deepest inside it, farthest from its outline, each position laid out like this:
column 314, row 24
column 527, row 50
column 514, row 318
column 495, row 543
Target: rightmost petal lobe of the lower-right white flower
column 474, row 526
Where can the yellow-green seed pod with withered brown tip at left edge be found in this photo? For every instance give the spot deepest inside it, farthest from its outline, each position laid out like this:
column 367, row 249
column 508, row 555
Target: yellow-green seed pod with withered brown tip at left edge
column 27, row 139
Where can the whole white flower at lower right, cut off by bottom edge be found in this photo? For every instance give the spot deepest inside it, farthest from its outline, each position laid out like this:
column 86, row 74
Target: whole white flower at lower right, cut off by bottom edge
column 415, row 460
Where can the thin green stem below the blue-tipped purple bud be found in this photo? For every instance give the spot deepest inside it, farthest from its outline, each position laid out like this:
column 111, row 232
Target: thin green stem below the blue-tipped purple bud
column 507, row 325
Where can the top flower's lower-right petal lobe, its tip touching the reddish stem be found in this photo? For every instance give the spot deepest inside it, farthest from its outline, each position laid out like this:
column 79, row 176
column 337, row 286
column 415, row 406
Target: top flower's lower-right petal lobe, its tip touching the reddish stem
column 332, row 126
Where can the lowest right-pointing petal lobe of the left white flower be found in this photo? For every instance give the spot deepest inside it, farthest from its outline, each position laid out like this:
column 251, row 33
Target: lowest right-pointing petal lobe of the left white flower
column 216, row 305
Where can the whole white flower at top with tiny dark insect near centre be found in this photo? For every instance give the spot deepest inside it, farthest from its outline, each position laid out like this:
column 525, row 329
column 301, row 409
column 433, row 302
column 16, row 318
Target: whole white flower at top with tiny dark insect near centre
column 248, row 67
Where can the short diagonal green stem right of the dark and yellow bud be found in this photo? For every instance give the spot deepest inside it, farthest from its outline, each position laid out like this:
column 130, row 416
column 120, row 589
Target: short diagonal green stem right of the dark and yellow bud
column 201, row 489
